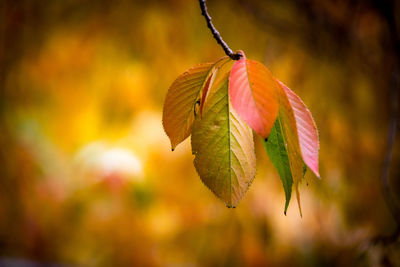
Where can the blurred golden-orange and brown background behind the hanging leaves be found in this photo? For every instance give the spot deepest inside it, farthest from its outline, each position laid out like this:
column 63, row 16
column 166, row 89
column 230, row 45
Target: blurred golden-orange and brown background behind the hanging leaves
column 87, row 175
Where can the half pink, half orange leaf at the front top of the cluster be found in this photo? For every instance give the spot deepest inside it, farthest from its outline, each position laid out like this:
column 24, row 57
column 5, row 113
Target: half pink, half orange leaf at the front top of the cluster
column 253, row 94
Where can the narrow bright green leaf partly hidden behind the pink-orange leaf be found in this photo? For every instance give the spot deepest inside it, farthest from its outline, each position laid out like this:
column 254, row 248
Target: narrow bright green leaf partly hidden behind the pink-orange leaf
column 278, row 155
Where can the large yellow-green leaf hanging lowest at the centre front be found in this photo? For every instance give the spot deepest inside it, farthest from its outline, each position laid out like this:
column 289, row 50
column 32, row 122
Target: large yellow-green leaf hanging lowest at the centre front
column 223, row 145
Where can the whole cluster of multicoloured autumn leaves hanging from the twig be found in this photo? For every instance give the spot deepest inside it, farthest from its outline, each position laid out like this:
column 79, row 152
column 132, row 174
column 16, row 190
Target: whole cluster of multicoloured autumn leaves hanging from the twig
column 220, row 104
